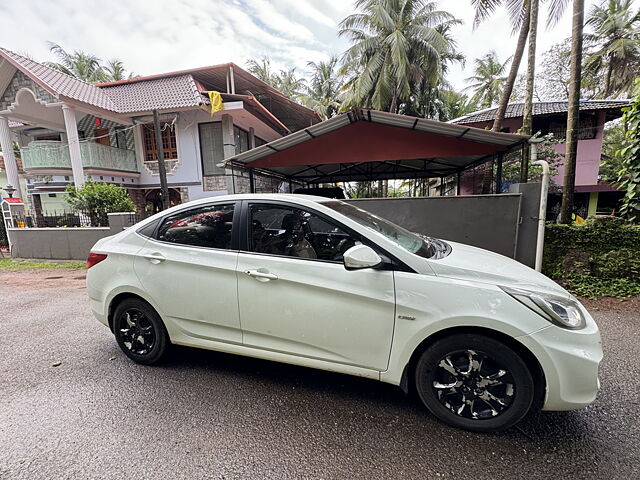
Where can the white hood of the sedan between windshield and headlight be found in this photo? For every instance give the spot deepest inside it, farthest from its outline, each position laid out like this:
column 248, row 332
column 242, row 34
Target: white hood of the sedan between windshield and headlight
column 471, row 263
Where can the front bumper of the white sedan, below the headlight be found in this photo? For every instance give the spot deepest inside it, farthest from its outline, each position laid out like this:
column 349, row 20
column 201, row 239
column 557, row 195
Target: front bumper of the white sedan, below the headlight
column 570, row 361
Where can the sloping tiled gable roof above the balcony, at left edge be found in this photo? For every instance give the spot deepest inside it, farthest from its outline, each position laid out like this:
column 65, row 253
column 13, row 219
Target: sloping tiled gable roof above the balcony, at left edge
column 60, row 83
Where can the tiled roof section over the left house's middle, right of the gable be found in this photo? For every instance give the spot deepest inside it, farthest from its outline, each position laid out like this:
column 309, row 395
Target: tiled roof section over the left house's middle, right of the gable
column 159, row 93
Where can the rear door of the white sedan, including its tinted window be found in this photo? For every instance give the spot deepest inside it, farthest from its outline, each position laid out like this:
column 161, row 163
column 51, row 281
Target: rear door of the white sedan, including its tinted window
column 189, row 269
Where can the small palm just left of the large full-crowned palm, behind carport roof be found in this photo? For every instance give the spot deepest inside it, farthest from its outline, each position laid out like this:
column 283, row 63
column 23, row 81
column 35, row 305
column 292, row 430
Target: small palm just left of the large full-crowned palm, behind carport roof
column 323, row 94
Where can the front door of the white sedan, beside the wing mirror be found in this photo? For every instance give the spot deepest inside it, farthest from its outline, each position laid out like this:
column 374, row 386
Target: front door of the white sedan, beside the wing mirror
column 296, row 296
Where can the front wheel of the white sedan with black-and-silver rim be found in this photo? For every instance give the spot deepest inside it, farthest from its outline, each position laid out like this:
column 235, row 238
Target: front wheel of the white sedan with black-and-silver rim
column 474, row 382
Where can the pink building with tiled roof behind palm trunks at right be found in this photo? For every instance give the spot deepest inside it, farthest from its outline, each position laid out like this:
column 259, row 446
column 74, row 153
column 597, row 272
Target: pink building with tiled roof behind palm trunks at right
column 592, row 195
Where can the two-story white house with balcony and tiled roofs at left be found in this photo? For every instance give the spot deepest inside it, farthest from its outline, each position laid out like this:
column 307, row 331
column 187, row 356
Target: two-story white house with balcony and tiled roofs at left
column 69, row 131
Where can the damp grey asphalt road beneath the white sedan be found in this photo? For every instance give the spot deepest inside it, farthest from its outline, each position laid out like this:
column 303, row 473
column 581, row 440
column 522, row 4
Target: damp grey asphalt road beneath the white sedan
column 210, row 415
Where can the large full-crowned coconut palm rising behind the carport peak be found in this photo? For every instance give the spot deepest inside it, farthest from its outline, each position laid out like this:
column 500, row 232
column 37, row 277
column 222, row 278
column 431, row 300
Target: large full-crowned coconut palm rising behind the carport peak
column 396, row 46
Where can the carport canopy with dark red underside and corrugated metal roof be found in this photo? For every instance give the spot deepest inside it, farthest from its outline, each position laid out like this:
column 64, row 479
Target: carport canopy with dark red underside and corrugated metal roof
column 365, row 144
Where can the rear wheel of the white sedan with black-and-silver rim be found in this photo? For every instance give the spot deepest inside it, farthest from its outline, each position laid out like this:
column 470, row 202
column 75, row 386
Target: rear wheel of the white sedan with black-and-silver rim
column 140, row 332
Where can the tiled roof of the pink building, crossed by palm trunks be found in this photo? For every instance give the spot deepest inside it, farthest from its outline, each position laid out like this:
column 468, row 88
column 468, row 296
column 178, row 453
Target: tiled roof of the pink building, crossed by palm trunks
column 539, row 108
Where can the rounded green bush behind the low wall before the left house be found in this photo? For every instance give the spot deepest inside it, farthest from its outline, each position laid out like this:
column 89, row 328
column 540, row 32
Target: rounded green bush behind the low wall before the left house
column 97, row 199
